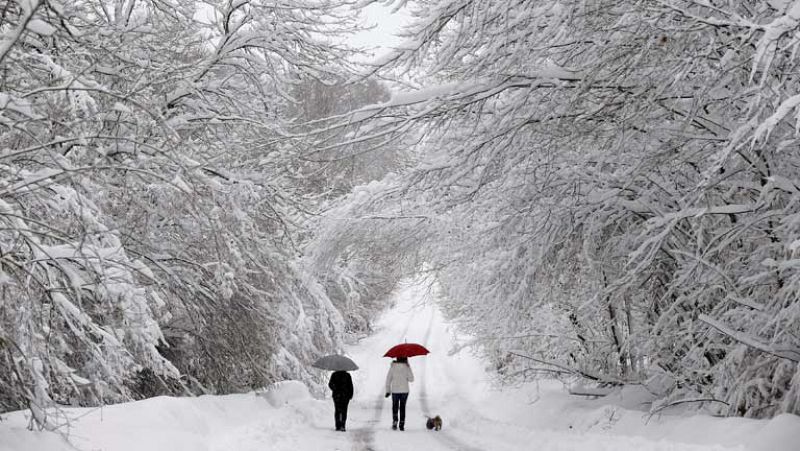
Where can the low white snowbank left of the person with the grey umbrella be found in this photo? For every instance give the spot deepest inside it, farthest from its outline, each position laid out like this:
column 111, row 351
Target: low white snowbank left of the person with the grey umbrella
column 278, row 418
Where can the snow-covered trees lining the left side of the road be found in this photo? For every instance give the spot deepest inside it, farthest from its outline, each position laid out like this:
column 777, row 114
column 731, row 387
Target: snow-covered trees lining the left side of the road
column 150, row 202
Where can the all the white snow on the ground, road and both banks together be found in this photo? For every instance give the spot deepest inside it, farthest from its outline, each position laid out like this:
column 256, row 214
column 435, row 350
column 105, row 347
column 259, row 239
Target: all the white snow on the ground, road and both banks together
column 476, row 414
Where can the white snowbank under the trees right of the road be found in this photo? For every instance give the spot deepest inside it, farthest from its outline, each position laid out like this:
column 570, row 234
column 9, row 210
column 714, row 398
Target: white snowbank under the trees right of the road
column 548, row 406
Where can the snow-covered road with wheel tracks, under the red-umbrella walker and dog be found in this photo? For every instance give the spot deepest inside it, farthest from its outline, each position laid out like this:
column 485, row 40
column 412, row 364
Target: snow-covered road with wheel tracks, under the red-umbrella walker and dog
column 457, row 388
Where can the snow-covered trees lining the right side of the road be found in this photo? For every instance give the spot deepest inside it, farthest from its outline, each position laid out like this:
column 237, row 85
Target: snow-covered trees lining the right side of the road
column 615, row 184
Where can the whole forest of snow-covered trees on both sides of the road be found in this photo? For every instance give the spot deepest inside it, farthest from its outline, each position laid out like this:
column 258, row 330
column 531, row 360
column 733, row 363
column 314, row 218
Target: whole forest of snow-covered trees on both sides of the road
column 203, row 196
